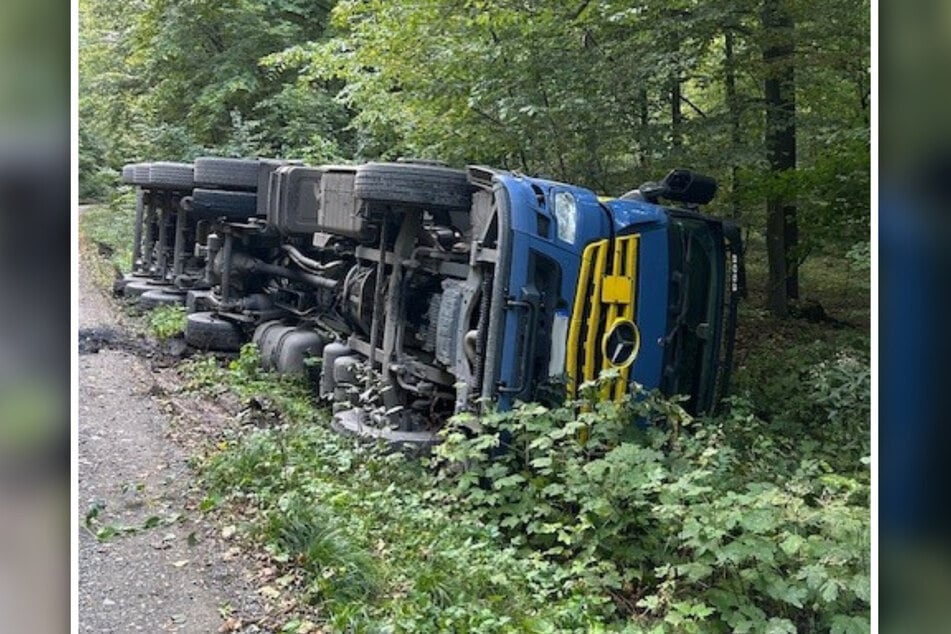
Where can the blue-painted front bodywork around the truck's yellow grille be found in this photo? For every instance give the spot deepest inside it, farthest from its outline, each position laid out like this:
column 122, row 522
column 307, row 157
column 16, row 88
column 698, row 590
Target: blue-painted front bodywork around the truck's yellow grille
column 530, row 199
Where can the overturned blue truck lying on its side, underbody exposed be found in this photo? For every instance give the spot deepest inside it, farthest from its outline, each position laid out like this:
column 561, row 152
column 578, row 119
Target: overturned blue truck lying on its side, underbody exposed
column 425, row 291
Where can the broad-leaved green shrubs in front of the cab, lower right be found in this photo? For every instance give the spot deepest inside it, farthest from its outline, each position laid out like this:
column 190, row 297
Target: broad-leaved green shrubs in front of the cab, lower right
column 667, row 519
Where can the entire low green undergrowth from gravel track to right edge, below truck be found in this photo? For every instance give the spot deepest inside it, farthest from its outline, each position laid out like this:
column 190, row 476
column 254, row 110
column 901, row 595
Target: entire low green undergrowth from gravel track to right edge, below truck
column 558, row 519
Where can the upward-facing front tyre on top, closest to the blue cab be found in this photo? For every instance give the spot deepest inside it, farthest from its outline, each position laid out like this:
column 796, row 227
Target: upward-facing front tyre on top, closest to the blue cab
column 413, row 184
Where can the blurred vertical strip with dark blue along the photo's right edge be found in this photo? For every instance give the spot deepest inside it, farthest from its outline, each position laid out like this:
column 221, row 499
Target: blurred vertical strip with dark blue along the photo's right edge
column 914, row 229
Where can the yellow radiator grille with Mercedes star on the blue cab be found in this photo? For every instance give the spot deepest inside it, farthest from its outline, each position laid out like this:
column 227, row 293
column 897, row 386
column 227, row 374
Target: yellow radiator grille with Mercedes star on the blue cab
column 606, row 292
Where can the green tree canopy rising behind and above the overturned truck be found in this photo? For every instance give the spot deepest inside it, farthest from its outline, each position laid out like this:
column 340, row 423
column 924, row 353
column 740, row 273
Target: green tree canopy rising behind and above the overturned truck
column 580, row 92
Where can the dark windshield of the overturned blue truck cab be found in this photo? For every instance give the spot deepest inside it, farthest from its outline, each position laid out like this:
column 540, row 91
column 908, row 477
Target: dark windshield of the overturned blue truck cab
column 697, row 269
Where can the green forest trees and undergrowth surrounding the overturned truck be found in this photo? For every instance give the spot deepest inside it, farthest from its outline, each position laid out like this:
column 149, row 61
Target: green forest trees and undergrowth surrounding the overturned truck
column 753, row 520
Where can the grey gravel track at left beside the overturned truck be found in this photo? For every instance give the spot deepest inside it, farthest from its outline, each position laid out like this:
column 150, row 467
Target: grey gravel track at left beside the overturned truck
column 177, row 575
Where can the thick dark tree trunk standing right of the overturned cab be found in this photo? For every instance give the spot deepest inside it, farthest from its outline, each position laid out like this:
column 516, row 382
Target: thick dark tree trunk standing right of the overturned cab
column 782, row 235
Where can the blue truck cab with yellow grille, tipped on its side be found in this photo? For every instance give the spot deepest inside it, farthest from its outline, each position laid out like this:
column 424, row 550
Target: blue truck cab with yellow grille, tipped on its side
column 584, row 284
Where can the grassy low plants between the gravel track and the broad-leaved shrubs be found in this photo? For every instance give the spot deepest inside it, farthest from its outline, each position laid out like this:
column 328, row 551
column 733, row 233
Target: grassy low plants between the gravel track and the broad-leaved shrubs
column 351, row 529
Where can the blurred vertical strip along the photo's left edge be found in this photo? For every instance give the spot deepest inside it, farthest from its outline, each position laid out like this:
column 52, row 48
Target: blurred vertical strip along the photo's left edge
column 35, row 309
